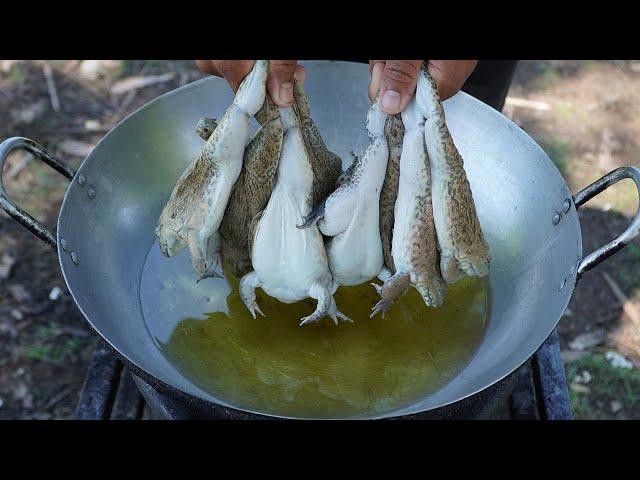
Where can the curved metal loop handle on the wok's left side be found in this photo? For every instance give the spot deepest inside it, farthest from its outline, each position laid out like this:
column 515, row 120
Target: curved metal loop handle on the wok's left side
column 22, row 217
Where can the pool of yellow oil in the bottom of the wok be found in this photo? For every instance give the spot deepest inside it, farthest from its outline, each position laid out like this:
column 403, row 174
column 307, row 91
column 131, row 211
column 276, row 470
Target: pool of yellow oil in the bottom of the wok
column 272, row 365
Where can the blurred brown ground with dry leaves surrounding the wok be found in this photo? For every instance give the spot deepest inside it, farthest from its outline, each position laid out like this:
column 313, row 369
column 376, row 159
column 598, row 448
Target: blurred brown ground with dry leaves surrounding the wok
column 585, row 114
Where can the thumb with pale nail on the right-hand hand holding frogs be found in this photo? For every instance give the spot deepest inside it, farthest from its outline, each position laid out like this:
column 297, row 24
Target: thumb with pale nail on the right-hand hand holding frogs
column 399, row 84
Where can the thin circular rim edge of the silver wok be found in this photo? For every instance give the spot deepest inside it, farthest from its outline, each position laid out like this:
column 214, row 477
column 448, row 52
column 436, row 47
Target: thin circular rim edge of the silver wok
column 162, row 385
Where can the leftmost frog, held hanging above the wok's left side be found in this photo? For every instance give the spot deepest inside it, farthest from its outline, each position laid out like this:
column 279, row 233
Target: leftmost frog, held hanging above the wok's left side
column 194, row 211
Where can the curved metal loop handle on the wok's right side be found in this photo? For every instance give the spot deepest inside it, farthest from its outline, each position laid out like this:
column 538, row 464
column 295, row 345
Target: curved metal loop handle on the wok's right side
column 626, row 237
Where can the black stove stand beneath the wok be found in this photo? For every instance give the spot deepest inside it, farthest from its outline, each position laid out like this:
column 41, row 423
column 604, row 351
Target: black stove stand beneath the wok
column 536, row 391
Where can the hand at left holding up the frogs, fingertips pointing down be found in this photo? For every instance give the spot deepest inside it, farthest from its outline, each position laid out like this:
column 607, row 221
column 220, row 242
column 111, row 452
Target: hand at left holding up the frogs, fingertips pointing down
column 282, row 73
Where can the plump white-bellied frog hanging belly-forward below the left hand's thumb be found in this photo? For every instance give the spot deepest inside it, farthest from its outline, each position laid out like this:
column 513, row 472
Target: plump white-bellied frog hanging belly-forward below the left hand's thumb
column 289, row 263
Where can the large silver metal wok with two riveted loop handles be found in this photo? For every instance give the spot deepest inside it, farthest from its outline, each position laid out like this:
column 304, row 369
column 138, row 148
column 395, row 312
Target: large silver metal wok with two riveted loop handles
column 106, row 224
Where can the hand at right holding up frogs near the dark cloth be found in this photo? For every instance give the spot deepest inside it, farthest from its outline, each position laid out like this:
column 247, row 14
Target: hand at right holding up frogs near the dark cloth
column 398, row 79
